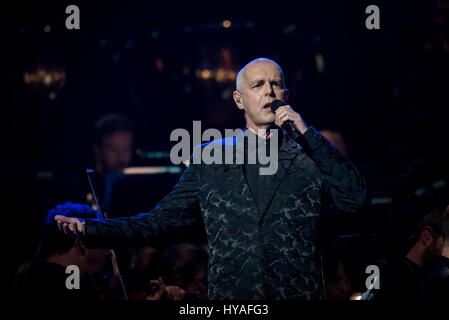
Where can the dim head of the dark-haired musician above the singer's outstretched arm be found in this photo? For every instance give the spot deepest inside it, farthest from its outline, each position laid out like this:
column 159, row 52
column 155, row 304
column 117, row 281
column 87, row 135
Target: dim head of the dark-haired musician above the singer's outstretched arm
column 113, row 139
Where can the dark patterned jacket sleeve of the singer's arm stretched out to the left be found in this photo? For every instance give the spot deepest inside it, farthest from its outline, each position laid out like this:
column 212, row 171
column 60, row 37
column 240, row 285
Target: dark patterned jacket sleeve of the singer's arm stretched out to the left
column 180, row 208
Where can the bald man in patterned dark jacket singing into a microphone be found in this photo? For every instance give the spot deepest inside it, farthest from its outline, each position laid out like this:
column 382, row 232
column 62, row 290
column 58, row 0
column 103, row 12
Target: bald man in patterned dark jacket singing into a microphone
column 262, row 230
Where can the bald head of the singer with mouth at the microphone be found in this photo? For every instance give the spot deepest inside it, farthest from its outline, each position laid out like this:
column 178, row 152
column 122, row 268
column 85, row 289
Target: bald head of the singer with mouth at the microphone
column 259, row 83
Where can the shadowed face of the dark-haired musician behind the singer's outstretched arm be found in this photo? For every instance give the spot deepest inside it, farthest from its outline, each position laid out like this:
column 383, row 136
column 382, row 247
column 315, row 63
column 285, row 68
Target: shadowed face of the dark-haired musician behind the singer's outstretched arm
column 116, row 151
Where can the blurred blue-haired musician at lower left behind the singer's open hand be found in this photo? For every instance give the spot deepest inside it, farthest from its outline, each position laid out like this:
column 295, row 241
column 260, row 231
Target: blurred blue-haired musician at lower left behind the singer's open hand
column 44, row 276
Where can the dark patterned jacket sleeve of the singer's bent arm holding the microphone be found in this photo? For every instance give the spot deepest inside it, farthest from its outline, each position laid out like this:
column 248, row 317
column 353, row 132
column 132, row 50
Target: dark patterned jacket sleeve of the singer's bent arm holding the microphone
column 343, row 182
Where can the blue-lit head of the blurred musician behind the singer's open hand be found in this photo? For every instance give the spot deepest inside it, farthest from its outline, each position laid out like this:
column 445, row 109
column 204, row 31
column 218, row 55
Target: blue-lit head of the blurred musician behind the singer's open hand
column 57, row 247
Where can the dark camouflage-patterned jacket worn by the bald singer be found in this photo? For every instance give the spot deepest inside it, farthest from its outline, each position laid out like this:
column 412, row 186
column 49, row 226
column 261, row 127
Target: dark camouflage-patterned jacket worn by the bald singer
column 268, row 253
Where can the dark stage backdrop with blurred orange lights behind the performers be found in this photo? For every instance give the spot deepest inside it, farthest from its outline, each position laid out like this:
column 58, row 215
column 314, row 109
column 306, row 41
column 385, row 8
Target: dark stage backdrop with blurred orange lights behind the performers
column 166, row 65
